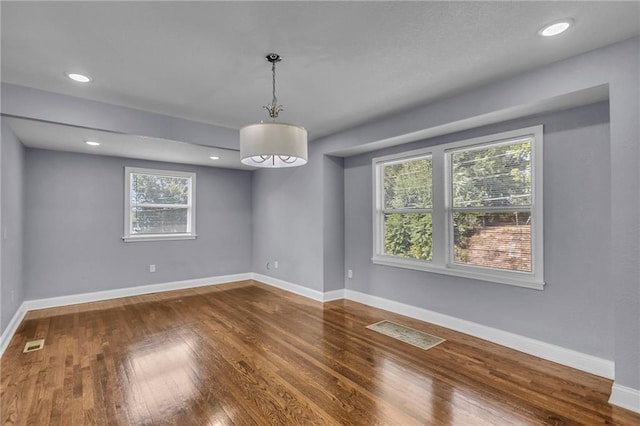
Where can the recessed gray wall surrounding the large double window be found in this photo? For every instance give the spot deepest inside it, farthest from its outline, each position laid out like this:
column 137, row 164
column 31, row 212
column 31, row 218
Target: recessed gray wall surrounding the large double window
column 575, row 310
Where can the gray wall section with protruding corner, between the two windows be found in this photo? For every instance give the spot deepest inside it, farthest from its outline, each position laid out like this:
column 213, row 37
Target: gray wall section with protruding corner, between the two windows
column 298, row 219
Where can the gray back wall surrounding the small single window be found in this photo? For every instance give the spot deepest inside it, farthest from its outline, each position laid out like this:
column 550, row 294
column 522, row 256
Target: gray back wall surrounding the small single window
column 74, row 217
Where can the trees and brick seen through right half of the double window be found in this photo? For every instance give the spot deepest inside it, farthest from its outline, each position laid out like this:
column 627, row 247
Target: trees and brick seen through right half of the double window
column 491, row 206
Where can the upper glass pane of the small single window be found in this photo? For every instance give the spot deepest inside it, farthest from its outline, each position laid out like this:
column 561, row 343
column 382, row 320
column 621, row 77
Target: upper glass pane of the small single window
column 153, row 189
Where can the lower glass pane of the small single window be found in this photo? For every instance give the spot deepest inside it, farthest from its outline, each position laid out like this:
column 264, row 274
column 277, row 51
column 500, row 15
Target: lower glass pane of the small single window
column 158, row 220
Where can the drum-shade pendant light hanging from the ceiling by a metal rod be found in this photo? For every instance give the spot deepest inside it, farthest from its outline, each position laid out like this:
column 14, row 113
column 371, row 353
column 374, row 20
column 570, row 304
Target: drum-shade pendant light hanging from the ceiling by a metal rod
column 273, row 145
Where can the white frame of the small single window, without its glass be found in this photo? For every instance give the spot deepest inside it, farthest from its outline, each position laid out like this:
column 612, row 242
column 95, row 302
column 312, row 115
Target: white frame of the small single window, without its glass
column 191, row 206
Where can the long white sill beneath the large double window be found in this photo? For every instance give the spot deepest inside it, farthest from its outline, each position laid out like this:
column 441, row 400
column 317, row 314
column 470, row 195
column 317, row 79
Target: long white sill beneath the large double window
column 420, row 265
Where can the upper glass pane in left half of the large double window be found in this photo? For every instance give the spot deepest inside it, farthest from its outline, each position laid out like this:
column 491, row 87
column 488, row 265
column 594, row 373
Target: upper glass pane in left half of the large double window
column 408, row 184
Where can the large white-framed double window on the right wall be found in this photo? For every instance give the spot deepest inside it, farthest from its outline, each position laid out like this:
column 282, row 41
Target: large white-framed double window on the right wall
column 471, row 208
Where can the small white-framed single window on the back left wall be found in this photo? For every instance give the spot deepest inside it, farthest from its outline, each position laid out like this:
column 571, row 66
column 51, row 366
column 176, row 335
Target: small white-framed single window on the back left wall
column 159, row 205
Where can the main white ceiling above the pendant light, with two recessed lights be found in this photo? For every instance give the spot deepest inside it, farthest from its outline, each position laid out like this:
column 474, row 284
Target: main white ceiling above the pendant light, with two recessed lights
column 345, row 63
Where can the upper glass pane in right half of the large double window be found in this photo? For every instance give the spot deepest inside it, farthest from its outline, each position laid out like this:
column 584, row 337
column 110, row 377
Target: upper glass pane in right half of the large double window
column 498, row 175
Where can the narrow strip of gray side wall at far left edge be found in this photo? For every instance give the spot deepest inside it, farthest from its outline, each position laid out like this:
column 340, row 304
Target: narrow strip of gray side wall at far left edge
column 11, row 230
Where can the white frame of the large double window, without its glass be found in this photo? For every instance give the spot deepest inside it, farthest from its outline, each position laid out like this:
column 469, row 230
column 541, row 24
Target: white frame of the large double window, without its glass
column 442, row 234
